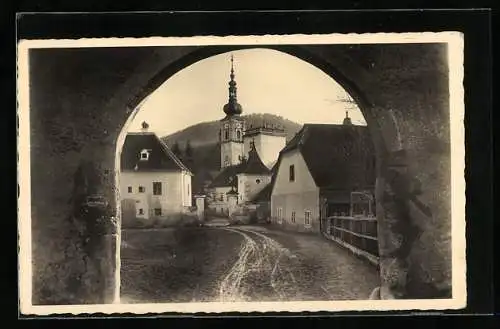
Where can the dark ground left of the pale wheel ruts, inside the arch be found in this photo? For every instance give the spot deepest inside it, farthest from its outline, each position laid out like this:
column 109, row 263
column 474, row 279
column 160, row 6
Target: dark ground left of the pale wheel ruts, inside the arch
column 175, row 265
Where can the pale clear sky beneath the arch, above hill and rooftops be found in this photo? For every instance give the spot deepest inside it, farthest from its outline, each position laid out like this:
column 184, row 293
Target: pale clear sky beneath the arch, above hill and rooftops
column 268, row 81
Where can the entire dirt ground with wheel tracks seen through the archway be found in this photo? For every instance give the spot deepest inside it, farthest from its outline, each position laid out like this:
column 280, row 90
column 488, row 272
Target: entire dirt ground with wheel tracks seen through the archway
column 239, row 263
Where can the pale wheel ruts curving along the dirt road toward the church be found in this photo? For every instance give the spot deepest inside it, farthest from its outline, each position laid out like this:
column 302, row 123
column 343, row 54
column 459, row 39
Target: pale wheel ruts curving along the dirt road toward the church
column 263, row 270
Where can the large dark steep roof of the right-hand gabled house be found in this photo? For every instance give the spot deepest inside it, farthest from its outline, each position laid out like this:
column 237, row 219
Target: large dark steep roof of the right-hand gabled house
column 336, row 155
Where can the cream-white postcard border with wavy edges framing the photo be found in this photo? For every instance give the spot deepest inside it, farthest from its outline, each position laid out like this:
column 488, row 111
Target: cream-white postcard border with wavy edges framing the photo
column 457, row 108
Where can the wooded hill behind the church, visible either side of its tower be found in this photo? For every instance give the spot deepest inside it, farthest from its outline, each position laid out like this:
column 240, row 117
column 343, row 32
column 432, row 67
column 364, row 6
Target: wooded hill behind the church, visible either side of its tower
column 203, row 158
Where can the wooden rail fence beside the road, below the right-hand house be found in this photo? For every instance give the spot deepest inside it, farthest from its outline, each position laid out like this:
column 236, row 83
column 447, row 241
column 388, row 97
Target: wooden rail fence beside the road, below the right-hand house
column 359, row 234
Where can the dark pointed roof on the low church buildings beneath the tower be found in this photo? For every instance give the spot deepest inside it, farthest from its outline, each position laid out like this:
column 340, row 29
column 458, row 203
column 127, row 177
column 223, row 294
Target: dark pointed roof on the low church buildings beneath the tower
column 252, row 166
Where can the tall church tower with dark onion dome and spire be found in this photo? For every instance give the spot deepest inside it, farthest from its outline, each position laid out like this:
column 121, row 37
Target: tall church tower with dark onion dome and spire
column 232, row 127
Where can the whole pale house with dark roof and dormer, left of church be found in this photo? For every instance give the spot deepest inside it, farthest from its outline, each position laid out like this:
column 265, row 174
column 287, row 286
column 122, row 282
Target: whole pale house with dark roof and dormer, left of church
column 154, row 183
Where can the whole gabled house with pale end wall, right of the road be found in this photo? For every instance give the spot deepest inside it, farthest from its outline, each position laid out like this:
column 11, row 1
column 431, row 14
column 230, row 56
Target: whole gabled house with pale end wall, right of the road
column 319, row 169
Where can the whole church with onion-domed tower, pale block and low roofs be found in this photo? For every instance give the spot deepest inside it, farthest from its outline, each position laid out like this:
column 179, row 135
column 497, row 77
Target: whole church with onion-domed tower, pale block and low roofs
column 247, row 156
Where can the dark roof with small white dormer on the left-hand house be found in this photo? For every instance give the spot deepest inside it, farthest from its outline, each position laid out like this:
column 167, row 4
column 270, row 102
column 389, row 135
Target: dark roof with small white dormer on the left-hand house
column 160, row 155
